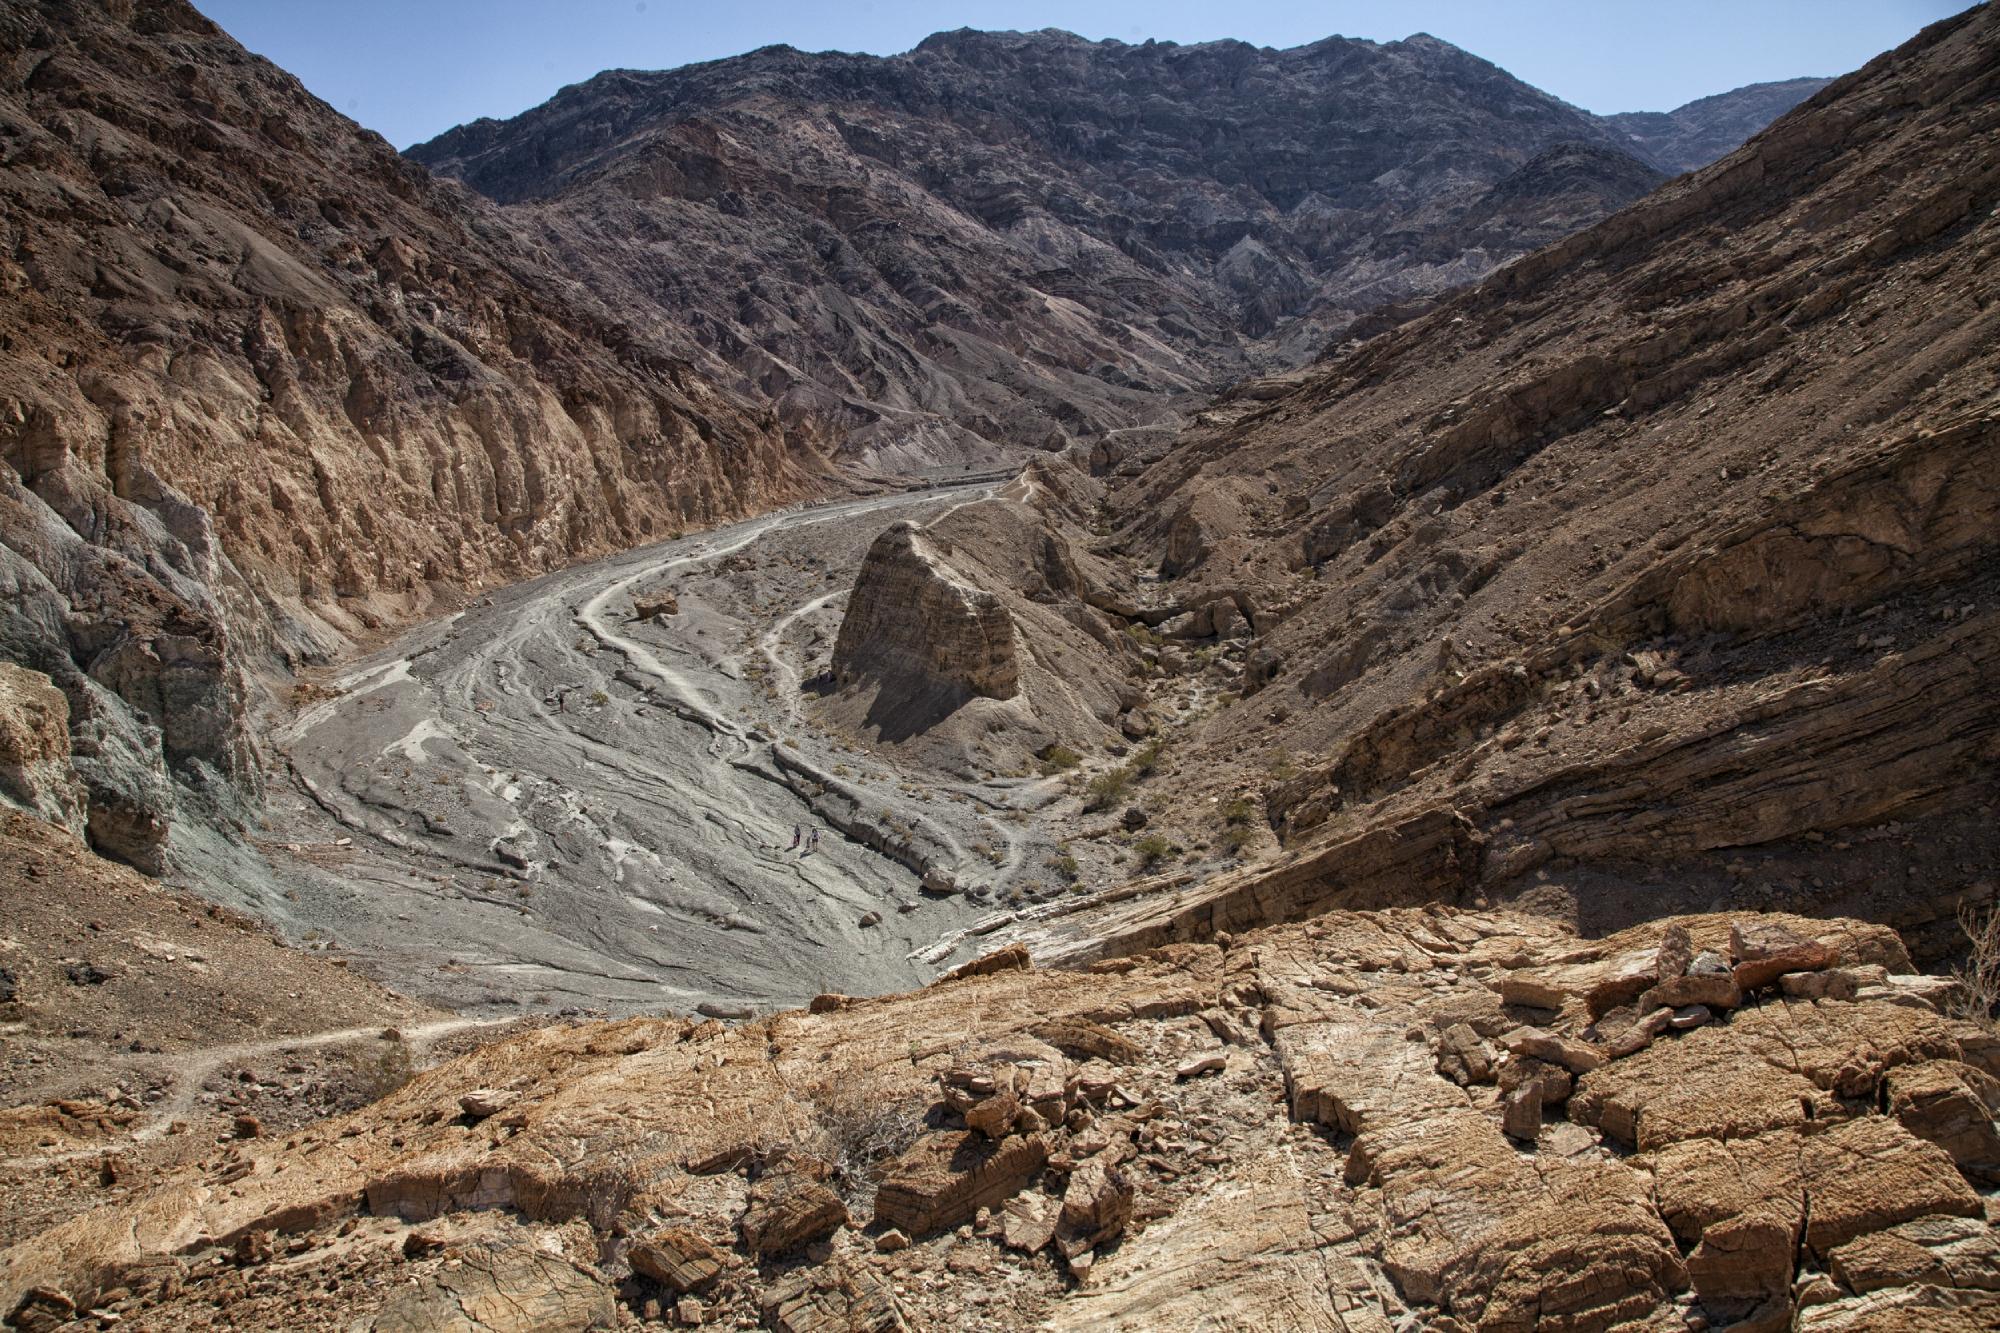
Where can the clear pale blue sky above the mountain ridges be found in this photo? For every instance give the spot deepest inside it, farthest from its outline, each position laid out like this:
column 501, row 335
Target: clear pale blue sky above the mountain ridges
column 413, row 69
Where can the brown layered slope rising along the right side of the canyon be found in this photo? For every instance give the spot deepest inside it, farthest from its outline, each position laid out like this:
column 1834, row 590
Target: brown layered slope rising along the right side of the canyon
column 1655, row 571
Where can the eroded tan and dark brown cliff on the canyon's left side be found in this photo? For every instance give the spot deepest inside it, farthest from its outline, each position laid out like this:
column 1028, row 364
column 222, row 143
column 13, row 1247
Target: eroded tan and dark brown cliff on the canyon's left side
column 265, row 385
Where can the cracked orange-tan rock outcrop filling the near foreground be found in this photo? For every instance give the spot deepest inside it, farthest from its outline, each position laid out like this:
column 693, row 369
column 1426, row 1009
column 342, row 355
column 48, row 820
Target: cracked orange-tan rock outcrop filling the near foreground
column 1343, row 1164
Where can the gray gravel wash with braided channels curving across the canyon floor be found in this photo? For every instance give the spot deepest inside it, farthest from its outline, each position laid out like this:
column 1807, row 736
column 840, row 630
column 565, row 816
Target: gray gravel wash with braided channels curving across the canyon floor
column 547, row 804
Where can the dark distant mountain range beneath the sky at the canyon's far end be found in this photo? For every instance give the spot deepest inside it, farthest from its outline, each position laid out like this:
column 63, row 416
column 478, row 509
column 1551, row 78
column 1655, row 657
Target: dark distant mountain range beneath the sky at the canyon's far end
column 1009, row 239
